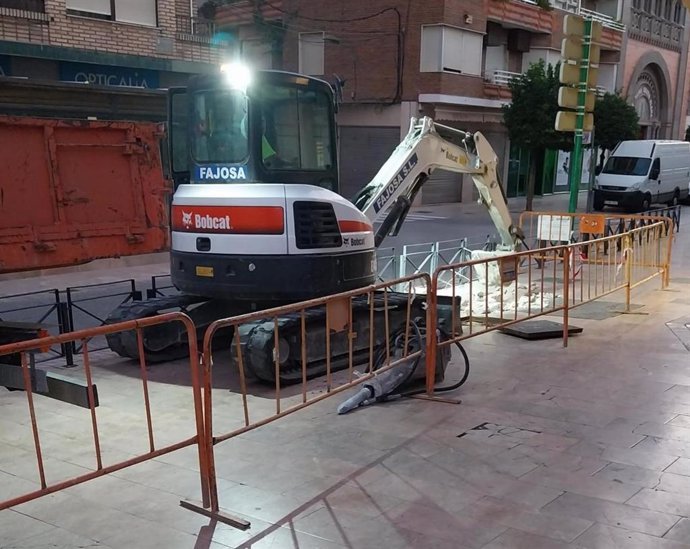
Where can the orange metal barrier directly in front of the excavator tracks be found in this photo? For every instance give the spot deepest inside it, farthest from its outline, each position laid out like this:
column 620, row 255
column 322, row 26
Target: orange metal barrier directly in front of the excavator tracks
column 340, row 314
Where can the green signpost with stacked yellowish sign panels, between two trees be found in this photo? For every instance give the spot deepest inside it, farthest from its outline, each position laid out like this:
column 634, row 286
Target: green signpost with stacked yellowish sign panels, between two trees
column 578, row 74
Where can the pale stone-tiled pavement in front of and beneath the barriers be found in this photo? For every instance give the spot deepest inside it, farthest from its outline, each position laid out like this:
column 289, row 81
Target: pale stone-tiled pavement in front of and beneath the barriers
column 584, row 447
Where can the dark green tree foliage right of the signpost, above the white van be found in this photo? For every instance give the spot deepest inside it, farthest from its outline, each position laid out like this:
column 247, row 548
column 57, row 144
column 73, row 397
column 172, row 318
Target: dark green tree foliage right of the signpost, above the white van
column 615, row 120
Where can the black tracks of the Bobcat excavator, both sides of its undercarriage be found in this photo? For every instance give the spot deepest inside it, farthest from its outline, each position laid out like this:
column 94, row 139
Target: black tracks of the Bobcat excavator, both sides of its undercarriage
column 168, row 342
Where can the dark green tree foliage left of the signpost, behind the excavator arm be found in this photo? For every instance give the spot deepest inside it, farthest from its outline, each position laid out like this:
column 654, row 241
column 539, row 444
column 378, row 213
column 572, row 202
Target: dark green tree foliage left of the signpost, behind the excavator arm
column 531, row 115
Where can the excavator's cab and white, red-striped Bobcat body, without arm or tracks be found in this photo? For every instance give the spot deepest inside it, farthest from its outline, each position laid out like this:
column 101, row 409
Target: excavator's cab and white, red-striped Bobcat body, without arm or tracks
column 254, row 161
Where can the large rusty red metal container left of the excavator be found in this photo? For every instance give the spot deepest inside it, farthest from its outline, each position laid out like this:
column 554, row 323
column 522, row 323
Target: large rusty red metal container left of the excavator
column 72, row 191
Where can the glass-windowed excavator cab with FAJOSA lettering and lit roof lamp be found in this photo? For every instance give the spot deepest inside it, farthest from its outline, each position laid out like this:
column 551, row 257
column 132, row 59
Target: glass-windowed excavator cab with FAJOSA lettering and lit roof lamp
column 260, row 127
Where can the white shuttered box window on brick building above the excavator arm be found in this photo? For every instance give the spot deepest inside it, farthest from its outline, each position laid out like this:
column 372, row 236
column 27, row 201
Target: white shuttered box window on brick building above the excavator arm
column 450, row 49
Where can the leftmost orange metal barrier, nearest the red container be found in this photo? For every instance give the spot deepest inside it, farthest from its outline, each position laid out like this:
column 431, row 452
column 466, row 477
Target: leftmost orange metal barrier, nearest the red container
column 23, row 348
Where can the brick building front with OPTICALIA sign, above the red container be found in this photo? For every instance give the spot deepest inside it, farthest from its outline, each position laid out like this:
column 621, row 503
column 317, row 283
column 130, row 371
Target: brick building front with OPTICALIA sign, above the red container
column 125, row 43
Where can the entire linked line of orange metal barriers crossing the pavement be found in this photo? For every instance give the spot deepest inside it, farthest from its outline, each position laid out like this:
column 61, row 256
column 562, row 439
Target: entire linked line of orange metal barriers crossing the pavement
column 348, row 329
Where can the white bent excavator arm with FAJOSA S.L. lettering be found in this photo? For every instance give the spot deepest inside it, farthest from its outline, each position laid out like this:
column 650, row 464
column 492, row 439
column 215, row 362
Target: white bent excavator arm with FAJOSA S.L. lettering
column 387, row 198
